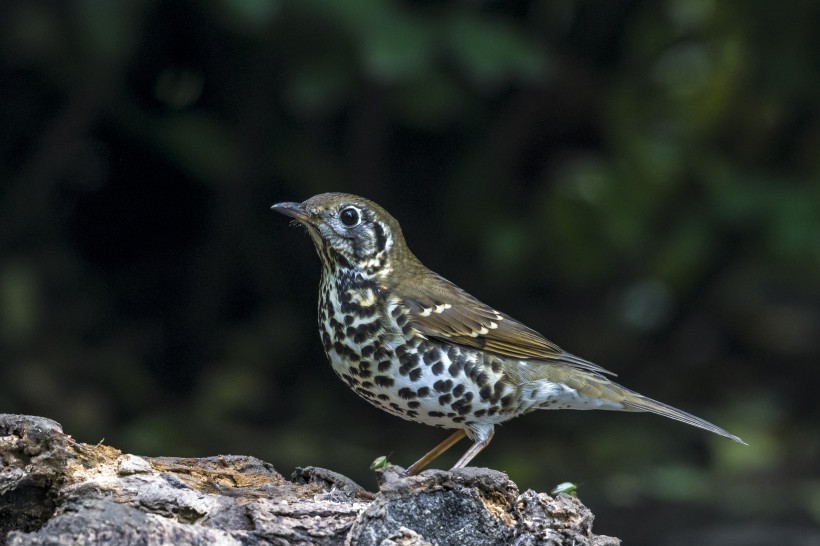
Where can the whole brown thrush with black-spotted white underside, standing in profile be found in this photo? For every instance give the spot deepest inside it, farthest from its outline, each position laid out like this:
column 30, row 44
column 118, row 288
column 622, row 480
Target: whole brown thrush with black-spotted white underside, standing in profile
column 417, row 346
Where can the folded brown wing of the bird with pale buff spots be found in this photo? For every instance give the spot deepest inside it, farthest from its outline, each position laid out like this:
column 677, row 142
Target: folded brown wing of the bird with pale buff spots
column 437, row 308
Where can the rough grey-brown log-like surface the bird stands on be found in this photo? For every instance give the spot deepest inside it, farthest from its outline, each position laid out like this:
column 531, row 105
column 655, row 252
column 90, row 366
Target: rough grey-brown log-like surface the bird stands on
column 56, row 491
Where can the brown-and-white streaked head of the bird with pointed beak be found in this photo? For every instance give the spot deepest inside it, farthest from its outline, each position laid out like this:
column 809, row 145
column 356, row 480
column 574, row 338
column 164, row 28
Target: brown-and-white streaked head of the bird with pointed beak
column 349, row 231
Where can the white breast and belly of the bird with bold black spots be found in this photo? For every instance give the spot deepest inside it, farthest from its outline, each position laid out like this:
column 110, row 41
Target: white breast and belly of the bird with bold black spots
column 373, row 349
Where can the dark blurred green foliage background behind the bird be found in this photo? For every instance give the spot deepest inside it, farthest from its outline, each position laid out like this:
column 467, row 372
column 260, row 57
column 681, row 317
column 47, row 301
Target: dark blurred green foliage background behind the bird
column 639, row 180
